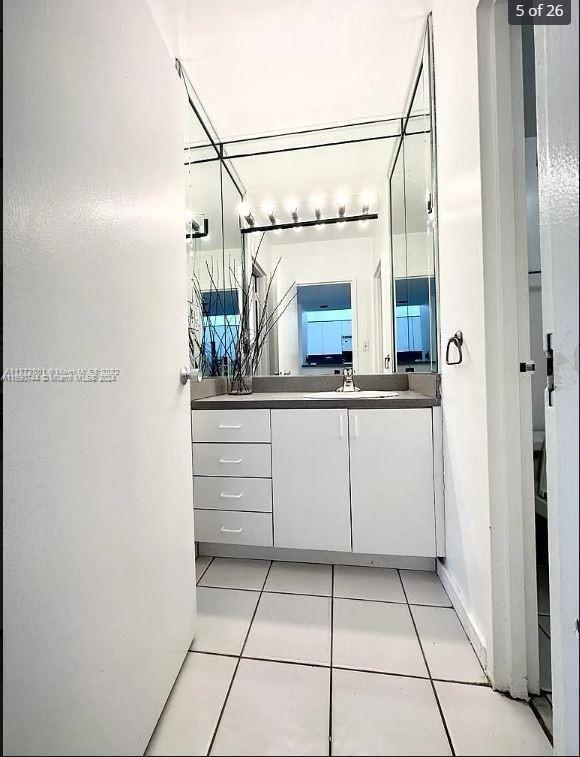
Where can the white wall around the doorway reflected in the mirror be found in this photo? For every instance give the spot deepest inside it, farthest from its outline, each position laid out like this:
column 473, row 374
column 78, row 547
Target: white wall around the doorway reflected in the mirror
column 327, row 261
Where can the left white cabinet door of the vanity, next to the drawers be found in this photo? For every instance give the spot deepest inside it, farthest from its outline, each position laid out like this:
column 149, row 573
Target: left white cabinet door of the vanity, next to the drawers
column 310, row 481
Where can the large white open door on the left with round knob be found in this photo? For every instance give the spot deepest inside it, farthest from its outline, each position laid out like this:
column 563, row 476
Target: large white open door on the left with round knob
column 98, row 522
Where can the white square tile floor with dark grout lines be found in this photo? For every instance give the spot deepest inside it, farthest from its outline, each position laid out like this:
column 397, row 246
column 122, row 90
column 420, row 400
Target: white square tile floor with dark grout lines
column 302, row 659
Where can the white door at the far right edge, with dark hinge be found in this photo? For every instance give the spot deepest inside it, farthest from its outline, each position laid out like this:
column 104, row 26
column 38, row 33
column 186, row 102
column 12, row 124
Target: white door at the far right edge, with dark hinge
column 556, row 50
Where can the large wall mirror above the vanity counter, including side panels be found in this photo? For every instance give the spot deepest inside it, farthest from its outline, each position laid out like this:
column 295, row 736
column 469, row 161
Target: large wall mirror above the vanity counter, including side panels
column 316, row 251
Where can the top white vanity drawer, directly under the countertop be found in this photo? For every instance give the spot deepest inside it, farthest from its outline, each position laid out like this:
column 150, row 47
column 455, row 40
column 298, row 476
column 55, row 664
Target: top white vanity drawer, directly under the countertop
column 231, row 425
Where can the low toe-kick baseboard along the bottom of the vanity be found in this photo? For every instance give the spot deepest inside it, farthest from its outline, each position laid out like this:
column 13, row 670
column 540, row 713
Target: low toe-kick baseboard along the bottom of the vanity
column 309, row 555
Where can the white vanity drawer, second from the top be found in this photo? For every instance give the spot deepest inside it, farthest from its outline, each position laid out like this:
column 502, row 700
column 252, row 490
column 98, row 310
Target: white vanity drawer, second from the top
column 237, row 460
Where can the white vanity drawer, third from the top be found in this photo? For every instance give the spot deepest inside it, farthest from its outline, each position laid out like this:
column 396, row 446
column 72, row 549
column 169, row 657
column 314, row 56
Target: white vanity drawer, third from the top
column 228, row 493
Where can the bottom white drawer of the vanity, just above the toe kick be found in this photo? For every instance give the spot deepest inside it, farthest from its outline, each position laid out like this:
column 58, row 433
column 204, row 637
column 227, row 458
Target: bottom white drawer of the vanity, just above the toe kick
column 233, row 527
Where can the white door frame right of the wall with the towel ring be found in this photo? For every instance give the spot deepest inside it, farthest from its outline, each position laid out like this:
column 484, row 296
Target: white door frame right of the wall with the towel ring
column 513, row 662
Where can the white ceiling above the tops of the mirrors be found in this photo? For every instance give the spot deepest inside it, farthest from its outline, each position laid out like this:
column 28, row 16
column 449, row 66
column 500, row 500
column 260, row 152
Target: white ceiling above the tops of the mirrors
column 264, row 66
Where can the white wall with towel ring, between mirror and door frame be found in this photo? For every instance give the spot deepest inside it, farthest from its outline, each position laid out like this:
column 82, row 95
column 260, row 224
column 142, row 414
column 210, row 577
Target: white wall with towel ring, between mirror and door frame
column 462, row 307
